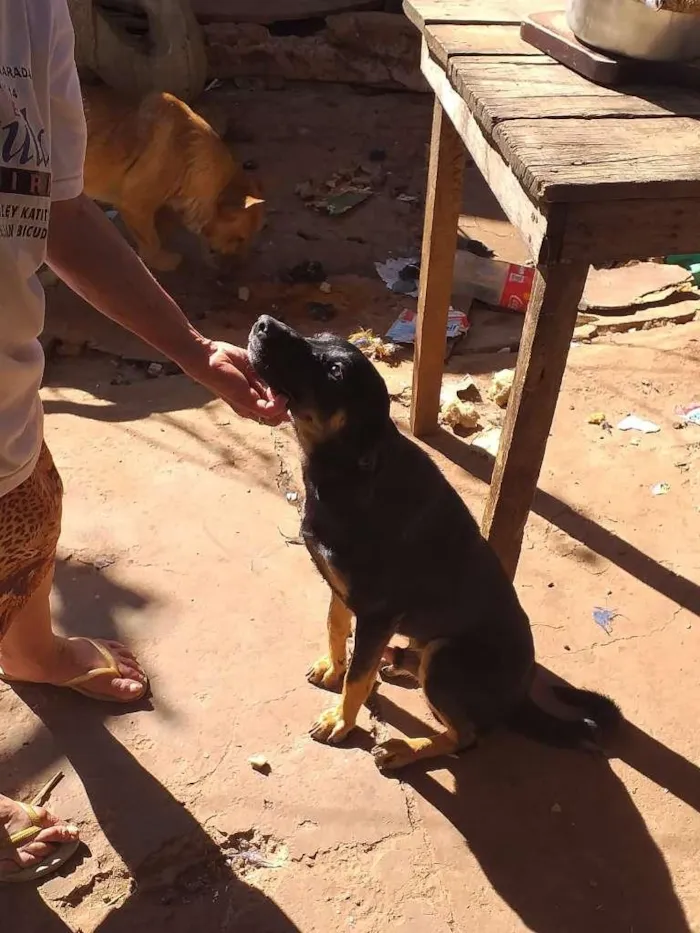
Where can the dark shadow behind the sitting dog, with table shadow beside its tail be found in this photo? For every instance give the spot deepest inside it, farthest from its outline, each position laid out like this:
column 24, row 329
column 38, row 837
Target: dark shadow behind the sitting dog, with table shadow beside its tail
column 556, row 833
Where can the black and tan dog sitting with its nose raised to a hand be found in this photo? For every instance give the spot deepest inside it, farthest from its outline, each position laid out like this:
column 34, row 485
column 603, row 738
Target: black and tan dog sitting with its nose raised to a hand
column 401, row 551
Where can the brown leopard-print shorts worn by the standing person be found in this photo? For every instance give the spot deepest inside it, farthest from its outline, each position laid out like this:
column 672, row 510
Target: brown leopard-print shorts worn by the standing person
column 30, row 523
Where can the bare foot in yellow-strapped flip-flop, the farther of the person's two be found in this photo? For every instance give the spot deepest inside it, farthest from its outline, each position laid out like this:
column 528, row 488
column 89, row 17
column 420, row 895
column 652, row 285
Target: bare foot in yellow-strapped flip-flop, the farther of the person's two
column 72, row 657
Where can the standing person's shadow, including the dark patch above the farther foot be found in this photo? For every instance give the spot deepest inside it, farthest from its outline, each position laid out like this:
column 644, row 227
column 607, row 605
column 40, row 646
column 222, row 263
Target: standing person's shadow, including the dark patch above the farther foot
column 180, row 877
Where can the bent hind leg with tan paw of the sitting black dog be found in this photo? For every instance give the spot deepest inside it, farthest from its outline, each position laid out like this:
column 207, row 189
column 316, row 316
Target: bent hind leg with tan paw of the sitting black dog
column 446, row 703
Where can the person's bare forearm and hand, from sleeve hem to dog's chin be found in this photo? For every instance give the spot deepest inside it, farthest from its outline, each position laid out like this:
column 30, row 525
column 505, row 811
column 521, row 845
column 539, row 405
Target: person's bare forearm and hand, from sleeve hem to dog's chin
column 92, row 258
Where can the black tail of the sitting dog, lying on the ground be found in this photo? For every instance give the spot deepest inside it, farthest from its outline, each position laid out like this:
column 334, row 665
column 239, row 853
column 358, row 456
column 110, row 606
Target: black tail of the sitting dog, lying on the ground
column 600, row 718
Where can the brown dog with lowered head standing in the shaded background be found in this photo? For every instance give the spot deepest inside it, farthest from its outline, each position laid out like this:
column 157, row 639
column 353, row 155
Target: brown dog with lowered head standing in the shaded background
column 157, row 153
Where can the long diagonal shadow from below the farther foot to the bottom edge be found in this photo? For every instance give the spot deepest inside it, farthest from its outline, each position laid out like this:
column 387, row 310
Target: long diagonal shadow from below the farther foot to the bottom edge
column 133, row 809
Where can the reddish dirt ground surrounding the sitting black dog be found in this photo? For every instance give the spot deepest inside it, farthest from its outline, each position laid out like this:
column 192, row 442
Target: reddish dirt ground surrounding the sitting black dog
column 179, row 537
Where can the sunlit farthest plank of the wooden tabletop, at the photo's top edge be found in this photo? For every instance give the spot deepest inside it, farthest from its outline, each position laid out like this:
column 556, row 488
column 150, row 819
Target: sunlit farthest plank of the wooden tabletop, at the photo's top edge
column 473, row 12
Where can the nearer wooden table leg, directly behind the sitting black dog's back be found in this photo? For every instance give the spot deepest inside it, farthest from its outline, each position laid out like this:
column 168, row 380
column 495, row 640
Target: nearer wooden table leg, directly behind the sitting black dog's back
column 549, row 326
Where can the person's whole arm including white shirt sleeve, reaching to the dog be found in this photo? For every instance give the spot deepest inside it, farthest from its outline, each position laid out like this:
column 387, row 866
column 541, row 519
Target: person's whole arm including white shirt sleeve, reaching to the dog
column 92, row 258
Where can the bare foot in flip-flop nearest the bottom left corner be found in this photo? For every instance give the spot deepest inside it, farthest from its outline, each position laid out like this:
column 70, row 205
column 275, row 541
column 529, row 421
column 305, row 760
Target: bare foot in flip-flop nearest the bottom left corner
column 13, row 819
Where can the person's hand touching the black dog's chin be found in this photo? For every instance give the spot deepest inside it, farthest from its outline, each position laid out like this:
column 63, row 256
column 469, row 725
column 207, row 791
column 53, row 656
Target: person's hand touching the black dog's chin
column 226, row 371
